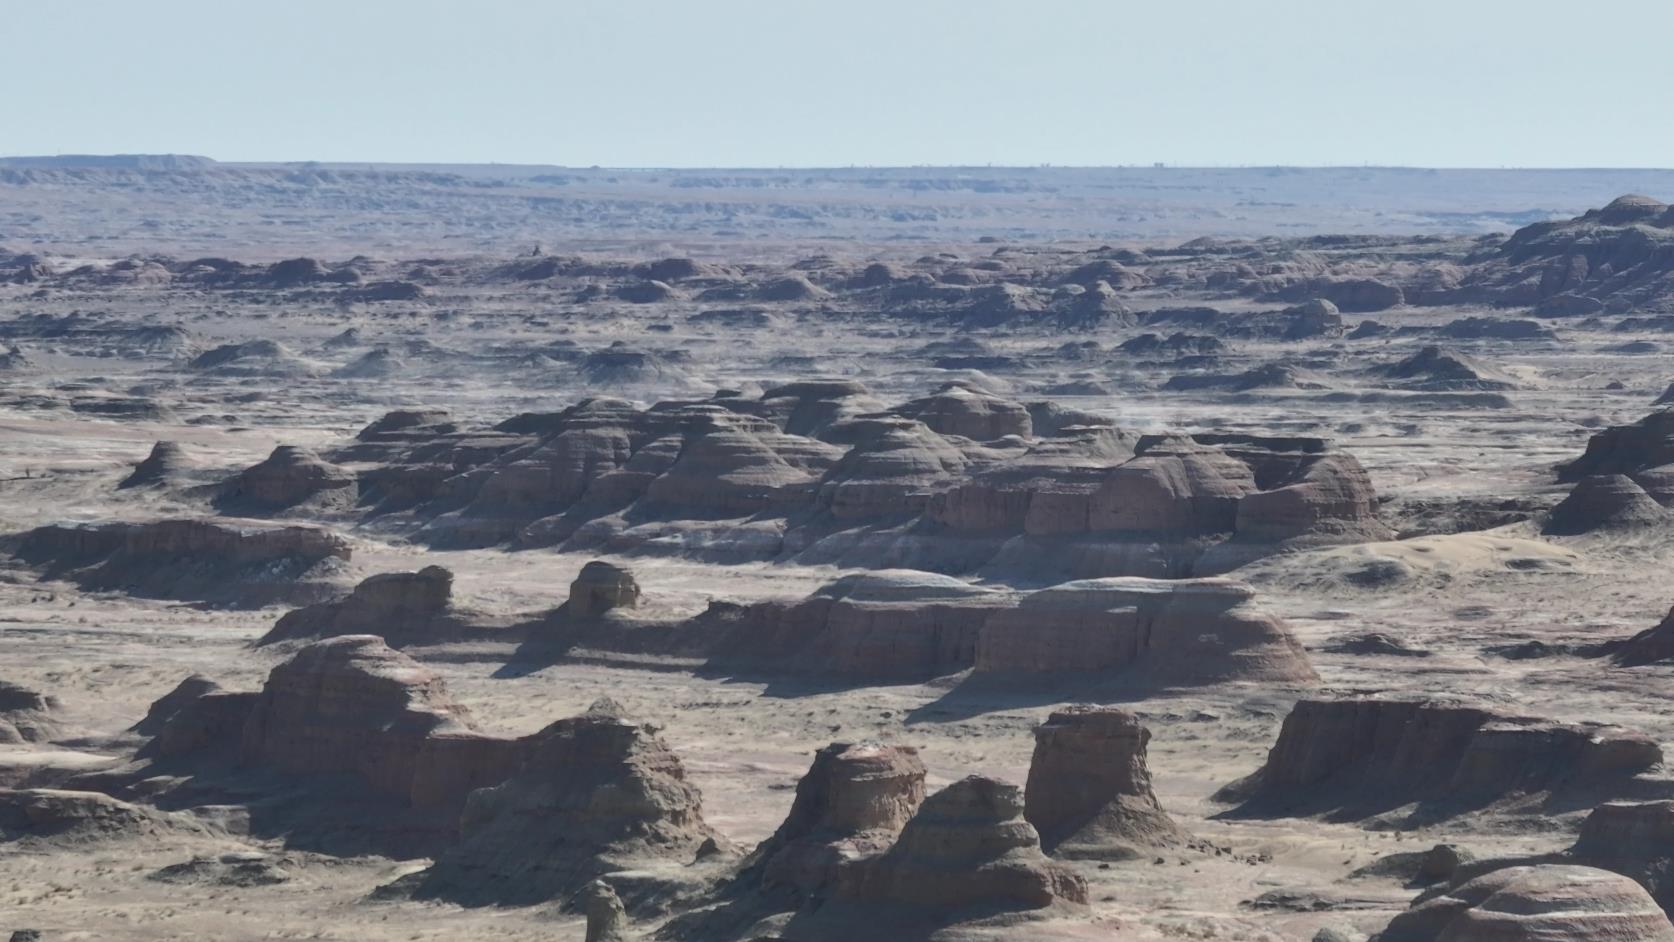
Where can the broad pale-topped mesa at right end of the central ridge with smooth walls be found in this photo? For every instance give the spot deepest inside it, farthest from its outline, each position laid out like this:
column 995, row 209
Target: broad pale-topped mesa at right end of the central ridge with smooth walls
column 1158, row 632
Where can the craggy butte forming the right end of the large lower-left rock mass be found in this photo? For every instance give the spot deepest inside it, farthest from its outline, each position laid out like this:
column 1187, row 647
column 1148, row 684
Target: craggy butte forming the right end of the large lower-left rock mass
column 597, row 794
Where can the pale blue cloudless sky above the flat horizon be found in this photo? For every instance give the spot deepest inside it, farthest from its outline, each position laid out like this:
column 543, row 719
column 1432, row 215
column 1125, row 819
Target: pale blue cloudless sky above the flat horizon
column 885, row 83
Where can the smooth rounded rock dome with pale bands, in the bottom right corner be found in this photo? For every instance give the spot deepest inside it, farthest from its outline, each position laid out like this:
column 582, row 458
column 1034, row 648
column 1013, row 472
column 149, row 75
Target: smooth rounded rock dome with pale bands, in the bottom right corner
column 1544, row 903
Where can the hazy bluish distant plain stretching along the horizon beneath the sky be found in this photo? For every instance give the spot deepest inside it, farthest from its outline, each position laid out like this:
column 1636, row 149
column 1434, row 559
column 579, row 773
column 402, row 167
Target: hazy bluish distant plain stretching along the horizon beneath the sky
column 200, row 207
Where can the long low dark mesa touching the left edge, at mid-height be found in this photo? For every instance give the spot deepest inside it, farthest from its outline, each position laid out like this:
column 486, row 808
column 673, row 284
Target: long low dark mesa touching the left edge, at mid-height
column 227, row 563
